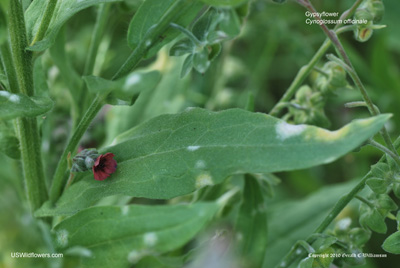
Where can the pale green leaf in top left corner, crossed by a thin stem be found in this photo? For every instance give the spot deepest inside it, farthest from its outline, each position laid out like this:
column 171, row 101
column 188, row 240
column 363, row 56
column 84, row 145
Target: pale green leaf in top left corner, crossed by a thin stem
column 63, row 11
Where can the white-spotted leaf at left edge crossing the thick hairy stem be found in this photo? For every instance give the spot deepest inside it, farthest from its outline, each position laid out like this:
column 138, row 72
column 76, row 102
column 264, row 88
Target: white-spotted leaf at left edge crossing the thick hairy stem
column 19, row 105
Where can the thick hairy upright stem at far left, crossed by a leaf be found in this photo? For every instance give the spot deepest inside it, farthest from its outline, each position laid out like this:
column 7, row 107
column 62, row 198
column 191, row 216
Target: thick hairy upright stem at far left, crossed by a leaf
column 27, row 129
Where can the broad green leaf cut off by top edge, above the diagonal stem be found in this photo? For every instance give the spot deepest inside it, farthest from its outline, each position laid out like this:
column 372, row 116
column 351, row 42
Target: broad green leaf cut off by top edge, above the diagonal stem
column 150, row 25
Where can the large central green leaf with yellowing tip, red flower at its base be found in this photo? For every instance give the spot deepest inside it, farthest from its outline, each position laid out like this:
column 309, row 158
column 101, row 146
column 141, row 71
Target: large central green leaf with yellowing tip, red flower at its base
column 173, row 155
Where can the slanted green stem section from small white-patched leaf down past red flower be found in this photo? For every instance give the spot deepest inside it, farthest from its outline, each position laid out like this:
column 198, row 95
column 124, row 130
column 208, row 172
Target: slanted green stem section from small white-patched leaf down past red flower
column 58, row 180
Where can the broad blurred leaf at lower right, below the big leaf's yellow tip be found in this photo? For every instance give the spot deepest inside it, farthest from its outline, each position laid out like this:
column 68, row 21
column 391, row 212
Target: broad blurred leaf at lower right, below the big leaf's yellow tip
column 295, row 220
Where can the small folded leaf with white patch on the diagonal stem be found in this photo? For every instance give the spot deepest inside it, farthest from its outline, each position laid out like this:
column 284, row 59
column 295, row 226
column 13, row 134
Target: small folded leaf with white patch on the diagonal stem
column 123, row 91
